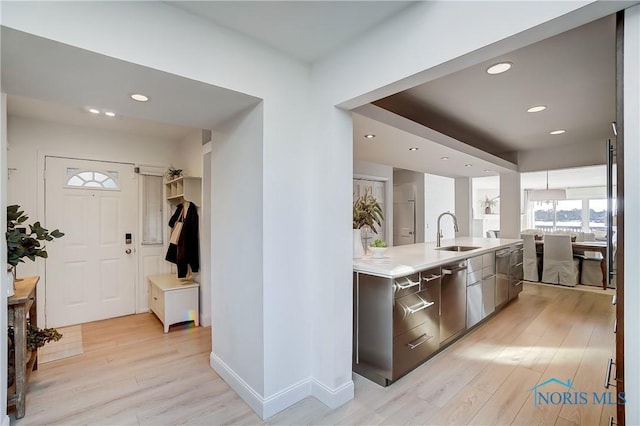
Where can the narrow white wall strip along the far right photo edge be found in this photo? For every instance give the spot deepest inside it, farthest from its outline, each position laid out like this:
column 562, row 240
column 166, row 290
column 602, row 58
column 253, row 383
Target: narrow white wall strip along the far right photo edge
column 632, row 214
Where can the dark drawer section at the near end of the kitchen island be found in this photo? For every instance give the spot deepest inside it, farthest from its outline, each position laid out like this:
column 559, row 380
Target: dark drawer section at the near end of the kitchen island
column 396, row 323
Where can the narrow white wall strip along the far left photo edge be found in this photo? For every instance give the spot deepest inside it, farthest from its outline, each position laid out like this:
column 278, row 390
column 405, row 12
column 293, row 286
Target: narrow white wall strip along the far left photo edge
column 4, row 419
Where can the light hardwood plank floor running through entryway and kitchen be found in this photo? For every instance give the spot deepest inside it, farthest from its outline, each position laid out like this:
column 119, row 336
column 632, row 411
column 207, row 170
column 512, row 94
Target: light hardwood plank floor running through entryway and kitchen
column 133, row 374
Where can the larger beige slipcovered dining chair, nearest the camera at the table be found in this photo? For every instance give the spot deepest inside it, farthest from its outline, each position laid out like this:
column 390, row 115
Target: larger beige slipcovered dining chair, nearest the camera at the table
column 558, row 264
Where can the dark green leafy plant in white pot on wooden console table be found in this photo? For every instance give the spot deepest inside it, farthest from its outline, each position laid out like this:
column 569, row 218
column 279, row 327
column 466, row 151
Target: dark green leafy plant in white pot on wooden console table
column 25, row 240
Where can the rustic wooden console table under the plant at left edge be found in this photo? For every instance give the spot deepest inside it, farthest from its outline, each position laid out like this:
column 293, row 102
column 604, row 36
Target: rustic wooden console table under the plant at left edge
column 23, row 302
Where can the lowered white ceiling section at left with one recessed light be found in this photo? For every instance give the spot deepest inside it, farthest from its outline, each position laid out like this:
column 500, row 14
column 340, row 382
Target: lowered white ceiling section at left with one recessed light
column 38, row 68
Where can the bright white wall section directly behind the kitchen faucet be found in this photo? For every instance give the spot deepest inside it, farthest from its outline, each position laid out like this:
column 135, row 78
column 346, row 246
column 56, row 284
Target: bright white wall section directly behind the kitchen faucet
column 439, row 196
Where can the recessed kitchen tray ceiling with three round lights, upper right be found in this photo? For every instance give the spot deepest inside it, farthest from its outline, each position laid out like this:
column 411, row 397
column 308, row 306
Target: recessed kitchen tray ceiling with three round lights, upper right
column 573, row 74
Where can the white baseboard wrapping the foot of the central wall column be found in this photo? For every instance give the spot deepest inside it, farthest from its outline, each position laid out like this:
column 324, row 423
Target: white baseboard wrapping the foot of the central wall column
column 267, row 407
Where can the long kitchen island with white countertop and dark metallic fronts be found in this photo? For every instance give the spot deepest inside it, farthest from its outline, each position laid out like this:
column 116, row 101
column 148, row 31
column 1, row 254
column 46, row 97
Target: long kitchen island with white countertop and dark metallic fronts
column 418, row 298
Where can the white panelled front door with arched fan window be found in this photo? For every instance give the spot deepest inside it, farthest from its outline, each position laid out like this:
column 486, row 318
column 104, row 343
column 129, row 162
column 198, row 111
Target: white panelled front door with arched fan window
column 90, row 272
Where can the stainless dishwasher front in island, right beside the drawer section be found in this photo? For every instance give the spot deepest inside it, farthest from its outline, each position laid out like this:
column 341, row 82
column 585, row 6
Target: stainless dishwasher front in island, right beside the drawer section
column 453, row 301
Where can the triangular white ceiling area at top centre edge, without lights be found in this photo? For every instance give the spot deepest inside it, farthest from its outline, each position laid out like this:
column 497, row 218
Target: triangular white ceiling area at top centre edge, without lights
column 306, row 30
